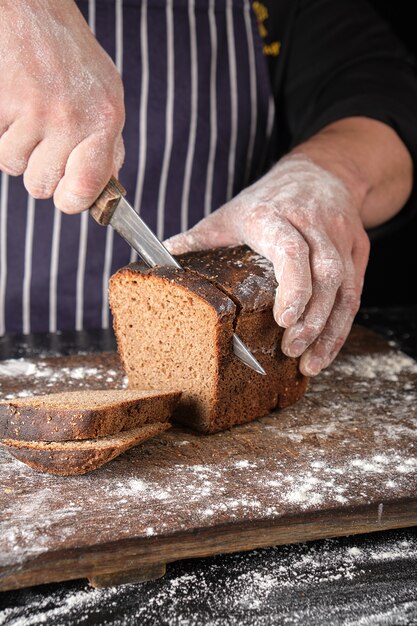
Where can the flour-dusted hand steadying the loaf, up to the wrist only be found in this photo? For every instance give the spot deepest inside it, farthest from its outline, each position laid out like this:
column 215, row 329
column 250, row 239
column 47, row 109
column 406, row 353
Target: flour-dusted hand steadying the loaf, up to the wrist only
column 303, row 219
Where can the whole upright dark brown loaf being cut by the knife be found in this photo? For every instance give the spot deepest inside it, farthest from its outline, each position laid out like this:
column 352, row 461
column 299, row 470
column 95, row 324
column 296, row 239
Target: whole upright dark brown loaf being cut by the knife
column 174, row 329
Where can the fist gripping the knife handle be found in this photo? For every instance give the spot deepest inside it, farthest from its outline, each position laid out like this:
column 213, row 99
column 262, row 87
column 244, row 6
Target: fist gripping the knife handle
column 61, row 103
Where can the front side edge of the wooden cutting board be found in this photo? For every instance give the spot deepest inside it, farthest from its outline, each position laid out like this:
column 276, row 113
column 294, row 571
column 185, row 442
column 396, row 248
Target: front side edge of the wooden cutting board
column 141, row 553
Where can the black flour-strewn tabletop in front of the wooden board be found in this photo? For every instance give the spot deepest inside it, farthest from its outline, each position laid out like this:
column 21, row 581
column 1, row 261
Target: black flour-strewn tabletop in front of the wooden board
column 338, row 582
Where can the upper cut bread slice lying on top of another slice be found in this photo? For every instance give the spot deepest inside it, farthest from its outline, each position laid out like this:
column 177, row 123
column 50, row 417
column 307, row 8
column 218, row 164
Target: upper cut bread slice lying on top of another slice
column 83, row 414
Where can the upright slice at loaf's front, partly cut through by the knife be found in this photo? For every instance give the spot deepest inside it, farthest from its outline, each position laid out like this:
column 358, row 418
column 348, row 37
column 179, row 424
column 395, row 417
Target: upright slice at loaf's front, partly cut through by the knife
column 175, row 329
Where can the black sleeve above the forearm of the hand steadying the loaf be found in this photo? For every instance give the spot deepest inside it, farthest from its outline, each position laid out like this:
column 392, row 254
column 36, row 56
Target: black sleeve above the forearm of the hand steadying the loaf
column 343, row 60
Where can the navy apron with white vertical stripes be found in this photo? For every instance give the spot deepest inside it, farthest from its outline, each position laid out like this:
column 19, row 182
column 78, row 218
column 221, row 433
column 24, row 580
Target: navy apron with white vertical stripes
column 199, row 117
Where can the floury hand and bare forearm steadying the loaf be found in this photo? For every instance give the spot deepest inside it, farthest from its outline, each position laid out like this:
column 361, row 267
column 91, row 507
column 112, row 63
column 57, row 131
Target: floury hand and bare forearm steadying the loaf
column 308, row 216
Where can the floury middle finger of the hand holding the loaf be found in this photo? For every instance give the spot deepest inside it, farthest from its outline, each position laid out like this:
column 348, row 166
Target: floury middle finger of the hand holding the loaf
column 328, row 272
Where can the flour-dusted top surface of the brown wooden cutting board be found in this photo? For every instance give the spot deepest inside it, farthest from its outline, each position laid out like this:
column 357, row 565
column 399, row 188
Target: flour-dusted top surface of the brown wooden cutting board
column 349, row 444
